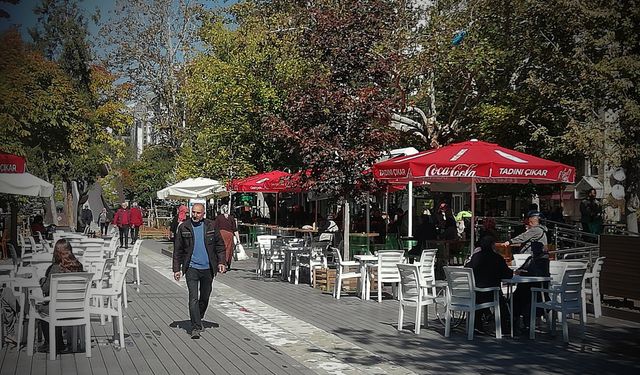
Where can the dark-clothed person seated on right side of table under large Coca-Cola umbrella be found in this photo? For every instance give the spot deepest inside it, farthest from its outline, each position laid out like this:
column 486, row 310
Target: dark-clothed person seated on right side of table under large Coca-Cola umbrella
column 536, row 265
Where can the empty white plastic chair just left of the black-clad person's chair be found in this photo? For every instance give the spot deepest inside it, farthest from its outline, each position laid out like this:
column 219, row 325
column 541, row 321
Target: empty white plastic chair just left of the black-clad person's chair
column 413, row 293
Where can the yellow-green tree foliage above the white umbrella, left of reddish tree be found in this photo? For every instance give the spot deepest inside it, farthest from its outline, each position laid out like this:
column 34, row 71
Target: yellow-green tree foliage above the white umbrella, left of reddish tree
column 242, row 74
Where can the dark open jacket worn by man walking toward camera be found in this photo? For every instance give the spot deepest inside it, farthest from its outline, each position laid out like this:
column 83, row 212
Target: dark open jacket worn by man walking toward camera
column 183, row 246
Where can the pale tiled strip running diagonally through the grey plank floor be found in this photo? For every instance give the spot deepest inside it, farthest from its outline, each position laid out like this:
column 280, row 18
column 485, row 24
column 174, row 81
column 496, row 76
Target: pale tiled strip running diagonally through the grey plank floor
column 311, row 346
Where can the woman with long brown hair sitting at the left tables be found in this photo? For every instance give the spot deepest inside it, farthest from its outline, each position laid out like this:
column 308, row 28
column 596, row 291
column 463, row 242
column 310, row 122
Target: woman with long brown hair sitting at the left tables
column 63, row 261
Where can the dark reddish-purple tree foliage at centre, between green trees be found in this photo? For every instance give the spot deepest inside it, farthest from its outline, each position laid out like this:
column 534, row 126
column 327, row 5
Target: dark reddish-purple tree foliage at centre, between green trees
column 336, row 120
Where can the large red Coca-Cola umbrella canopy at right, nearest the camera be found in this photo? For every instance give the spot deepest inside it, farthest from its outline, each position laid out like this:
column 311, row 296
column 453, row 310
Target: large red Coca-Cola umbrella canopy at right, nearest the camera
column 482, row 162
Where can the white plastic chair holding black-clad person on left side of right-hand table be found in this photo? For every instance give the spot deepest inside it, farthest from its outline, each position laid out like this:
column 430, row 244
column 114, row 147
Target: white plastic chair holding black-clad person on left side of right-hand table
column 461, row 296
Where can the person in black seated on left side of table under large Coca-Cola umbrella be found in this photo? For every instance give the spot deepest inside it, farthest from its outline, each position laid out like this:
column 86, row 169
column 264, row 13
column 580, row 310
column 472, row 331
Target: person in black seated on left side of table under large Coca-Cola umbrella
column 489, row 268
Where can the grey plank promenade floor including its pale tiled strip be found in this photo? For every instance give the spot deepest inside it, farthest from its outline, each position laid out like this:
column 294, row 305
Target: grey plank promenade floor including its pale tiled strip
column 249, row 317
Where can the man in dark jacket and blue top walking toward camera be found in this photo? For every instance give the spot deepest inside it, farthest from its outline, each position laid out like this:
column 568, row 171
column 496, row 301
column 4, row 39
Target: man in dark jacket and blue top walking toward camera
column 199, row 253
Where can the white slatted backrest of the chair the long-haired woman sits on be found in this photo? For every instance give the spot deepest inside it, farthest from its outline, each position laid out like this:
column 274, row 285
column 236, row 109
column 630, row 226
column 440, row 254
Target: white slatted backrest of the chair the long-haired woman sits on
column 69, row 295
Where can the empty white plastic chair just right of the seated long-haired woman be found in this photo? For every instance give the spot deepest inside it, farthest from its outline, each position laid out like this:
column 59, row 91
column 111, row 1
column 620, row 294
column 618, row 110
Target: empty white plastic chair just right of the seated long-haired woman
column 109, row 302
